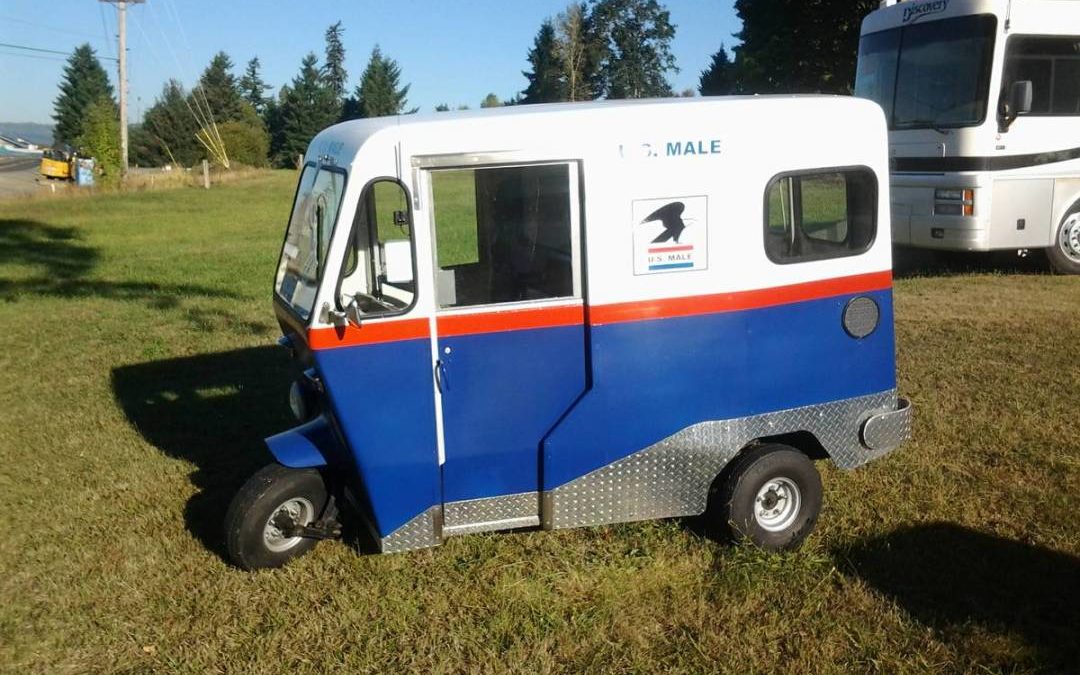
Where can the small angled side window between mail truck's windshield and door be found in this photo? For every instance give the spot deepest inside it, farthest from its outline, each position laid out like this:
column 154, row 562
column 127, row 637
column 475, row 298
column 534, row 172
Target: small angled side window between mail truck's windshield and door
column 379, row 275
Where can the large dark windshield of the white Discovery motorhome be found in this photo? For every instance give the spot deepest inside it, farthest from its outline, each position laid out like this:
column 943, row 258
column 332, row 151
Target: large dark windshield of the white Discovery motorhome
column 929, row 76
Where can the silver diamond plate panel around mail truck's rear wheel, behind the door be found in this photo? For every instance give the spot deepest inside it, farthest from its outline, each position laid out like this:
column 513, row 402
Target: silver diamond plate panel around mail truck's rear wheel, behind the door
column 672, row 478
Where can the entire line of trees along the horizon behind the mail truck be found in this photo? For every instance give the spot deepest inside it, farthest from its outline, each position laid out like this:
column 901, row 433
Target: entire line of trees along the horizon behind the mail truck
column 600, row 49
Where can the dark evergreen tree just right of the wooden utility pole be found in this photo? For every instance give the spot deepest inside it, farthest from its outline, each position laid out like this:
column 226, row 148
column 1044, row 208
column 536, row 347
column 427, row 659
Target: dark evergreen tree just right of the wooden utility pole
column 171, row 129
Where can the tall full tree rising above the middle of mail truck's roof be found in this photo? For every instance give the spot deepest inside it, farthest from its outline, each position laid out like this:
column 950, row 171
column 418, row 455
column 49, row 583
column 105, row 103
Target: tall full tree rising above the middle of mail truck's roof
column 636, row 48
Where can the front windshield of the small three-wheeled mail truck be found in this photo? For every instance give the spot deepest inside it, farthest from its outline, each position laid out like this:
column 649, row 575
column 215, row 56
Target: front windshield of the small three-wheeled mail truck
column 315, row 211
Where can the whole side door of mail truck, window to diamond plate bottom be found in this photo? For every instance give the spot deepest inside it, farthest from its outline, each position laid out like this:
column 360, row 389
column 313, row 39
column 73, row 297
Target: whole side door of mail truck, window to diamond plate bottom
column 510, row 354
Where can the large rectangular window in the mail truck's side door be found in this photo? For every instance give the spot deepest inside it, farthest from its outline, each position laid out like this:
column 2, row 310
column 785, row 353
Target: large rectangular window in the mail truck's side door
column 503, row 235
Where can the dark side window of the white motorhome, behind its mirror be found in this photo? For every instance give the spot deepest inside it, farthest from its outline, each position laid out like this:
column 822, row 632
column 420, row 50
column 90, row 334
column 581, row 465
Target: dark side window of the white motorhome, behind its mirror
column 1052, row 65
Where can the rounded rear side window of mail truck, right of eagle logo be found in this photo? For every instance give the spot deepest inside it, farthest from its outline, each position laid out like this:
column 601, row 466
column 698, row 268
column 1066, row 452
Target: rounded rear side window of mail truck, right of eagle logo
column 819, row 215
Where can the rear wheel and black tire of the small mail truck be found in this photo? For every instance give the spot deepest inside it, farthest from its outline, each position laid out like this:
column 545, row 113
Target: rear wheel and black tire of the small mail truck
column 758, row 470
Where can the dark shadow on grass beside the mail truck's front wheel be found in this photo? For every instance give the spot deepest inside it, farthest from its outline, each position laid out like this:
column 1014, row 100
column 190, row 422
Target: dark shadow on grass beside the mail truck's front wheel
column 212, row 411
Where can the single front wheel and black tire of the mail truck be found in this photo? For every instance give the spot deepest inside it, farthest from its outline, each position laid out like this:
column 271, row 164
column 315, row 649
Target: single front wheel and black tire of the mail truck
column 248, row 539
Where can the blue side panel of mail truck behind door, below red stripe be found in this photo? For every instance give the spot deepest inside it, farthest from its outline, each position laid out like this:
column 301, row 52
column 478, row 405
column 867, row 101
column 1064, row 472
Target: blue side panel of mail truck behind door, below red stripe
column 654, row 379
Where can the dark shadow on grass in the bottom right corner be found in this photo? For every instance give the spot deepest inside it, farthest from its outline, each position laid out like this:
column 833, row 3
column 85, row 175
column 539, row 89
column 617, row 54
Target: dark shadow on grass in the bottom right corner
column 953, row 579
